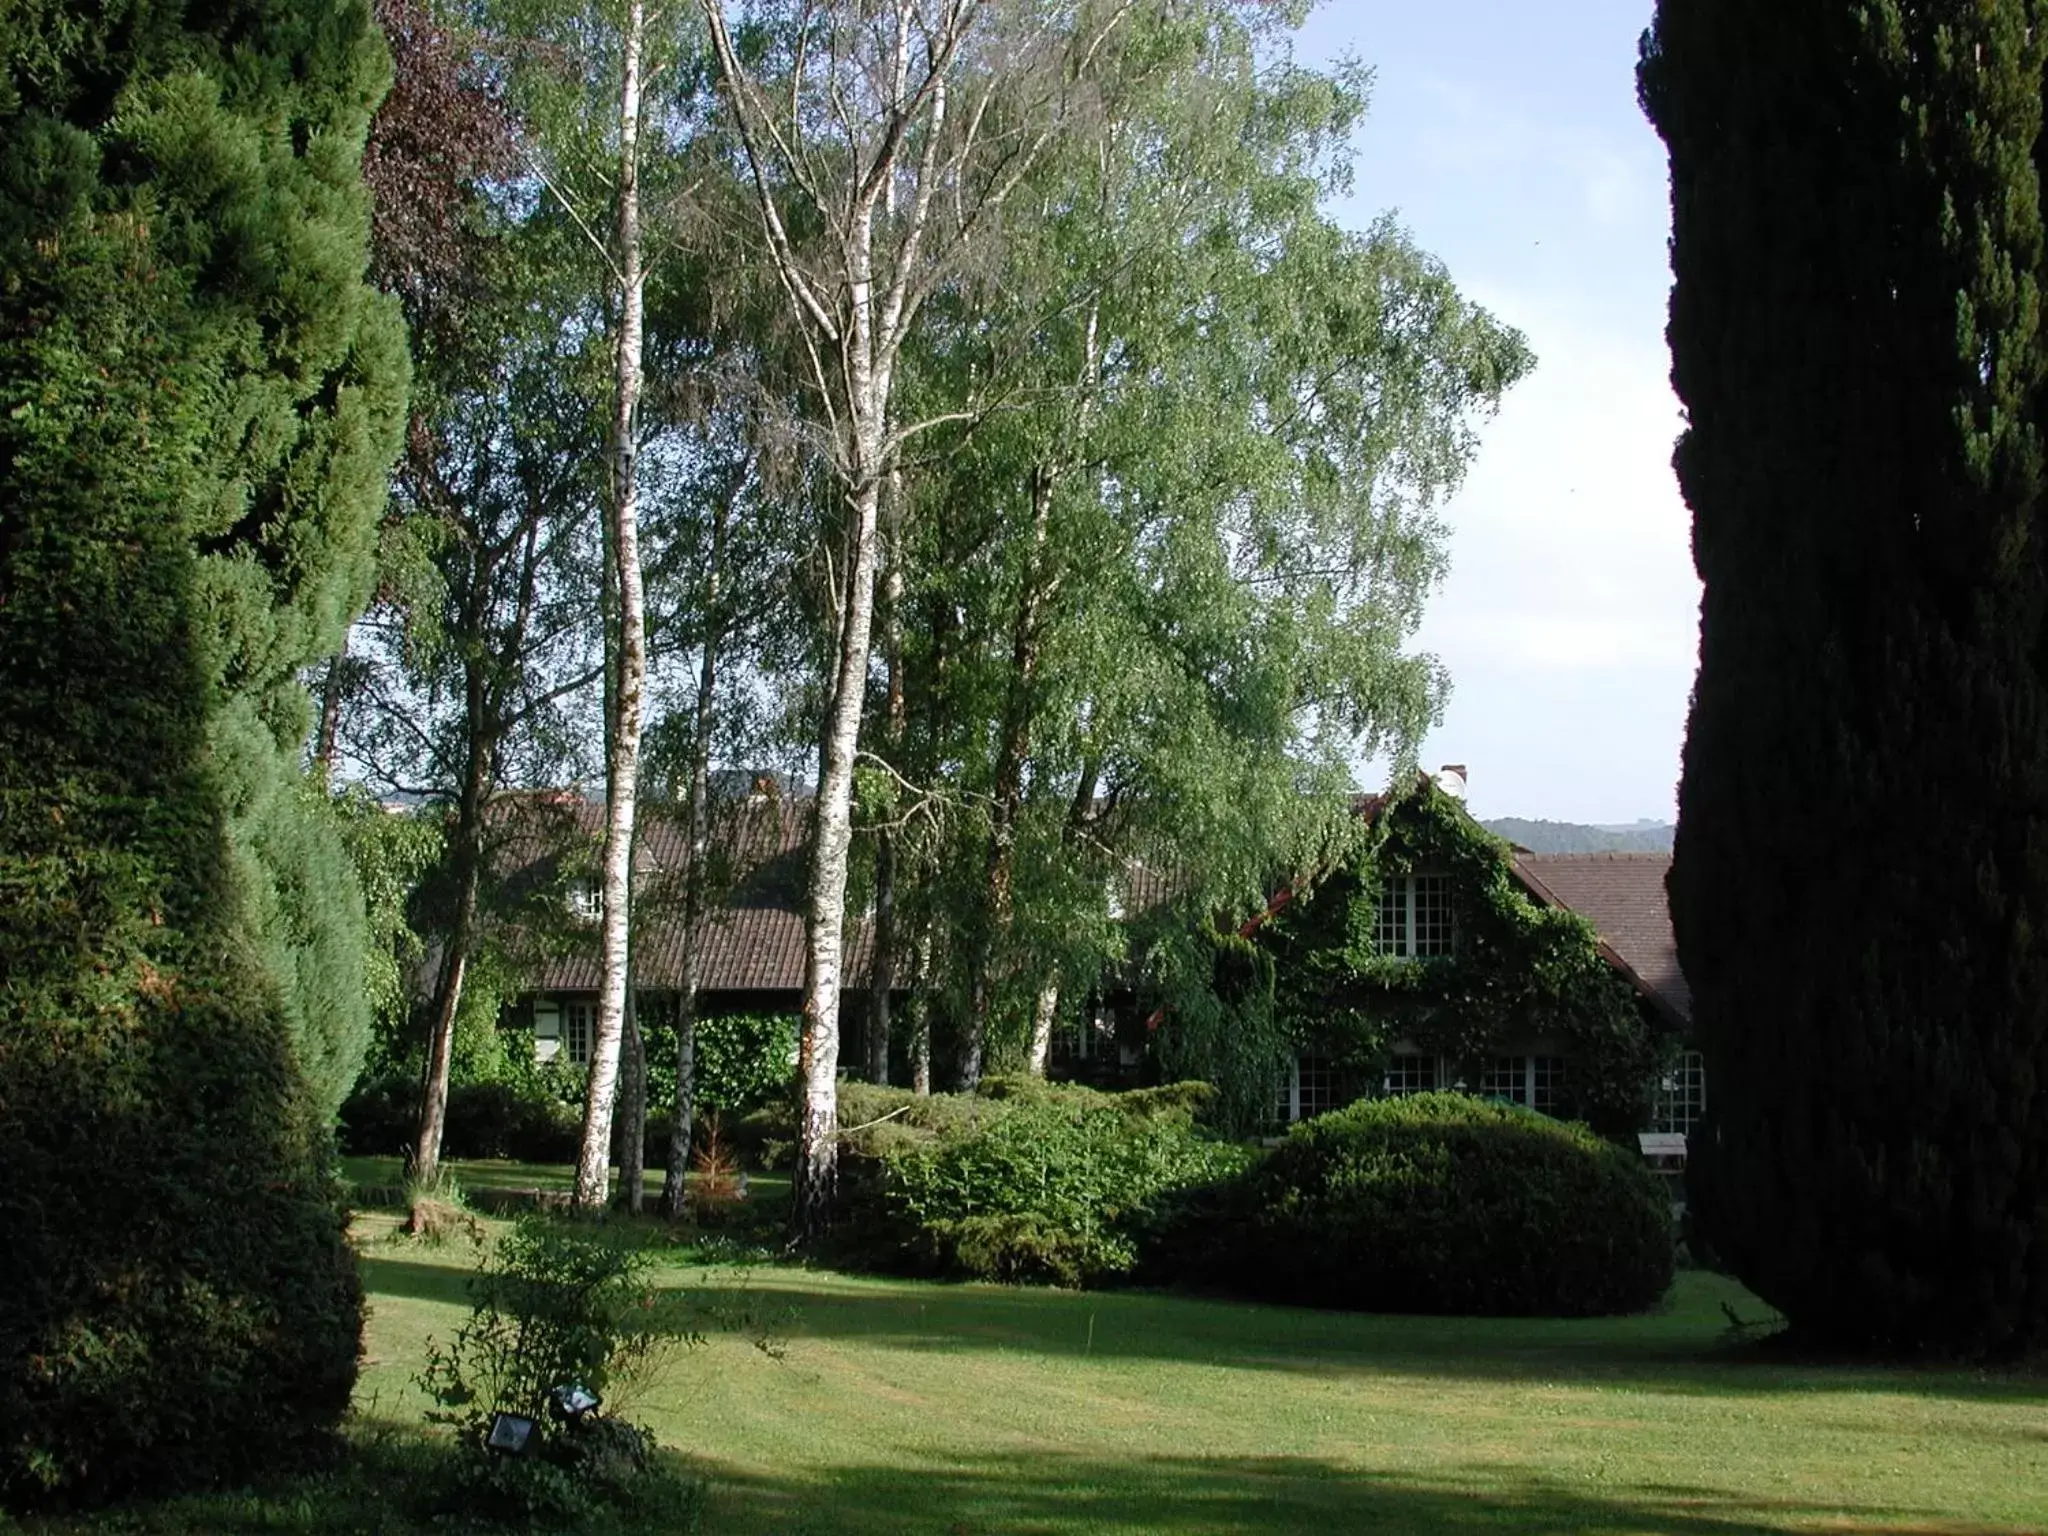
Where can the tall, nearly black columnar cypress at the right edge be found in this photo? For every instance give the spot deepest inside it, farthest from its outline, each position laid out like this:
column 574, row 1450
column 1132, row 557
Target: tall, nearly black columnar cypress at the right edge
column 1861, row 886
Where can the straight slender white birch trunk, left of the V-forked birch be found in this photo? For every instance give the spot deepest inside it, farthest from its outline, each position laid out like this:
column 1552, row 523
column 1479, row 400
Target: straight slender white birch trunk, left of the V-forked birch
column 593, row 1172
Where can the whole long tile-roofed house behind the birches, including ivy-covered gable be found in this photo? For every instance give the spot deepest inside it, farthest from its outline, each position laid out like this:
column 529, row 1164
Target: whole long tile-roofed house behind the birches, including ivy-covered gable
column 1435, row 863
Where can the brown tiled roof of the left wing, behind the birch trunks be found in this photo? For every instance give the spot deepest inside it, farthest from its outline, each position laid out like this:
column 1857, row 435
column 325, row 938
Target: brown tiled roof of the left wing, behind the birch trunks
column 753, row 941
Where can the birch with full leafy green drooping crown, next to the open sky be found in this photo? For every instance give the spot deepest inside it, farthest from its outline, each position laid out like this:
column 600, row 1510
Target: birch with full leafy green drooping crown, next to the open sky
column 1181, row 566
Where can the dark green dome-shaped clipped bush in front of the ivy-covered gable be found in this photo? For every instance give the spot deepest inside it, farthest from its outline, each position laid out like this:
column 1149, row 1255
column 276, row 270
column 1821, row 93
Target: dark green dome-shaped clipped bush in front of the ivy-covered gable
column 1445, row 1203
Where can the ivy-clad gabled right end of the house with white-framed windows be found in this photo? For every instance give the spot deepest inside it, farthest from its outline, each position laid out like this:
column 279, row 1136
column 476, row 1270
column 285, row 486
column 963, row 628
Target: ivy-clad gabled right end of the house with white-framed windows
column 1428, row 1002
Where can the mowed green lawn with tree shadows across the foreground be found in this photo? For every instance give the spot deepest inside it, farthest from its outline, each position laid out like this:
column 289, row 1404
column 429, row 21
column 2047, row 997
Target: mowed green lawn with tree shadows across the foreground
column 923, row 1408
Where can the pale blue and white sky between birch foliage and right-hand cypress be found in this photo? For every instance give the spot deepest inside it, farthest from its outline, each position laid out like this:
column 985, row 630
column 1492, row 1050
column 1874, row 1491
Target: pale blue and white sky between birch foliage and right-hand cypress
column 1506, row 138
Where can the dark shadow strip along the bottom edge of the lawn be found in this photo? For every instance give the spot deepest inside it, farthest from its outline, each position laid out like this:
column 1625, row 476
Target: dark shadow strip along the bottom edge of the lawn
column 1060, row 1496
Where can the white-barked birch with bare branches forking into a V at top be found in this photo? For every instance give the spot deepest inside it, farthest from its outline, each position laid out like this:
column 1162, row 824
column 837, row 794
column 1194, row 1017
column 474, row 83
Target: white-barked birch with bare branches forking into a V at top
column 884, row 144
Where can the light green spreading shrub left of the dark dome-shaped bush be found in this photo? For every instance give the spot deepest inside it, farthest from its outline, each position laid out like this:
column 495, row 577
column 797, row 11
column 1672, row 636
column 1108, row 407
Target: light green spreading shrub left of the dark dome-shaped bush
column 1029, row 1181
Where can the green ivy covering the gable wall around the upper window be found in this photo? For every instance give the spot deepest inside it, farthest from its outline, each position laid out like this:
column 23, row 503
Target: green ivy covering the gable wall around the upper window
column 1519, row 970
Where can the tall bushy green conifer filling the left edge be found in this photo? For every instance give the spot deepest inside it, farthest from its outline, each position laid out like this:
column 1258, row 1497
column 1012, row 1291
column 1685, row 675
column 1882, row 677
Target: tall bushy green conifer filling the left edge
column 200, row 400
